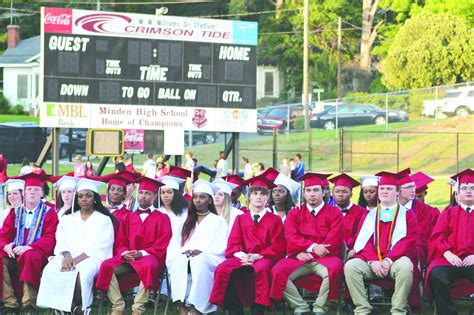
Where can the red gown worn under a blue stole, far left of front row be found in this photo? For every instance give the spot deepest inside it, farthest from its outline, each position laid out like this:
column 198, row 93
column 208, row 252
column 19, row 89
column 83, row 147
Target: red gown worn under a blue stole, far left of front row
column 32, row 262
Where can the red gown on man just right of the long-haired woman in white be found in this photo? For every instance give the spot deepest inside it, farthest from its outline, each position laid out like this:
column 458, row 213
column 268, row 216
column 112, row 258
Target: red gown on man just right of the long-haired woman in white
column 265, row 238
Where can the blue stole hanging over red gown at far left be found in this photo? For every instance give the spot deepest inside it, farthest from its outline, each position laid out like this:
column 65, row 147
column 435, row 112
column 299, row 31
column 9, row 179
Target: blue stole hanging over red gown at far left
column 37, row 222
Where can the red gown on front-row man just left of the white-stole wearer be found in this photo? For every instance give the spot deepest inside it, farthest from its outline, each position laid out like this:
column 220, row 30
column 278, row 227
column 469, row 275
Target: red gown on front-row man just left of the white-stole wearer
column 301, row 231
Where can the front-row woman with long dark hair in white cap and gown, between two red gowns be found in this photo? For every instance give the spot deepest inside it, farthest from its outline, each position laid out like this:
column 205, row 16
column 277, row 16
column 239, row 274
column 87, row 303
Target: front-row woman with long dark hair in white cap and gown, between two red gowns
column 198, row 249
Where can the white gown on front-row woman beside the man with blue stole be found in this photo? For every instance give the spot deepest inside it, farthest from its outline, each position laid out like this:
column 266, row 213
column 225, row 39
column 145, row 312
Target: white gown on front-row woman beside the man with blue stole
column 95, row 238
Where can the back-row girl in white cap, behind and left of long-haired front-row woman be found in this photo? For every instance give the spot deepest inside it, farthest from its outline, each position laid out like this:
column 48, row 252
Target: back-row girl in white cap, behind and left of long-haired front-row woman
column 173, row 203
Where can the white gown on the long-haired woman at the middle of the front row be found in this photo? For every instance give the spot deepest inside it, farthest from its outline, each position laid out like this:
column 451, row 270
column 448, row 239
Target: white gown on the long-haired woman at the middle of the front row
column 210, row 237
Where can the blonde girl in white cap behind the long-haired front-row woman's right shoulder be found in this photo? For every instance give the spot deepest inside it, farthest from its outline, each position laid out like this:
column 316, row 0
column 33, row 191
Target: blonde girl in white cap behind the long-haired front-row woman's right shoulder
column 223, row 202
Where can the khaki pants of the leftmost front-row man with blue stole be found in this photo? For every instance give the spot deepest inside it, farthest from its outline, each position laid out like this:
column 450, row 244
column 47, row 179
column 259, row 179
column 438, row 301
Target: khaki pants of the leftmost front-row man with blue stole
column 9, row 298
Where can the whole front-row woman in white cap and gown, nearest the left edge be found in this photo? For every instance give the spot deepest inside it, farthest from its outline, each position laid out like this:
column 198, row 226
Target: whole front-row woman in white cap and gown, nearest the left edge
column 84, row 238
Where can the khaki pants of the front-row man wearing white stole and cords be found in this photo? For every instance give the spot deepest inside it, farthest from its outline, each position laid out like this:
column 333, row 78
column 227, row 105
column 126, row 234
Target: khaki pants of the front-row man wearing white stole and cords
column 357, row 270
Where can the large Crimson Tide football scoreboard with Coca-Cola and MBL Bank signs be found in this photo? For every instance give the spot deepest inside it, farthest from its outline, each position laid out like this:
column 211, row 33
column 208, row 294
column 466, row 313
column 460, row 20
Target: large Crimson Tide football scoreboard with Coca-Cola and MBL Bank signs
column 115, row 70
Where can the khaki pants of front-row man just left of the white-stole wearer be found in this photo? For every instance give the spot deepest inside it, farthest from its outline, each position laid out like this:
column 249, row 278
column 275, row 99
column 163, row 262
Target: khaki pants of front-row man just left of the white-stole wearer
column 293, row 296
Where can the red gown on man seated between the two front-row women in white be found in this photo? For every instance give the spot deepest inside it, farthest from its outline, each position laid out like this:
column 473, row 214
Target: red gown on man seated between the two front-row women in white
column 151, row 235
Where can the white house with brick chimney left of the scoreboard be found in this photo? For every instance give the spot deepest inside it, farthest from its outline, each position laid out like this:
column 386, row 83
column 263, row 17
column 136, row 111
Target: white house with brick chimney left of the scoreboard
column 21, row 69
